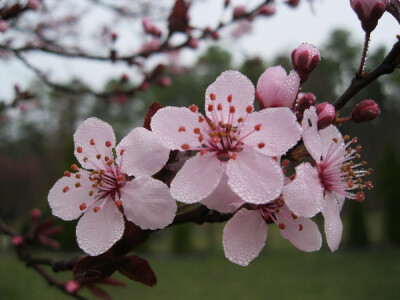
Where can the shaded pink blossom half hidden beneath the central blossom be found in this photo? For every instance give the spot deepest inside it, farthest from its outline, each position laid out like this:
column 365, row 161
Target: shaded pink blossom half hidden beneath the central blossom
column 245, row 234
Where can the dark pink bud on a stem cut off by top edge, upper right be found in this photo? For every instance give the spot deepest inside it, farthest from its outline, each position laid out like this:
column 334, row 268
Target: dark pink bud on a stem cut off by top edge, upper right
column 369, row 12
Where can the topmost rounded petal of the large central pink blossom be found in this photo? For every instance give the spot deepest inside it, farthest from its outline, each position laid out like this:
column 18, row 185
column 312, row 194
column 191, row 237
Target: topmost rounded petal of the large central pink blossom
column 230, row 83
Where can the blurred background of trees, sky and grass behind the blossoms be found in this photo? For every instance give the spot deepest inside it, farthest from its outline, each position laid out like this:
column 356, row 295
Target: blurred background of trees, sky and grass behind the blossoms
column 38, row 119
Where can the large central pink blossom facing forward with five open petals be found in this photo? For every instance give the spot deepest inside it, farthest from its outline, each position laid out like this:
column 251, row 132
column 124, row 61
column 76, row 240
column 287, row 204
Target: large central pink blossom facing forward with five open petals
column 231, row 140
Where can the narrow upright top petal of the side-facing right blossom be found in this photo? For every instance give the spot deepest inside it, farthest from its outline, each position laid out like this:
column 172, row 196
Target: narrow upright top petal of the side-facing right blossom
column 311, row 138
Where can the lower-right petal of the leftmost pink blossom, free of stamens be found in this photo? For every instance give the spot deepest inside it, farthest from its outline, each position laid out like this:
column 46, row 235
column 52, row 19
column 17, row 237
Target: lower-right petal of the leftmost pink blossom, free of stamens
column 148, row 203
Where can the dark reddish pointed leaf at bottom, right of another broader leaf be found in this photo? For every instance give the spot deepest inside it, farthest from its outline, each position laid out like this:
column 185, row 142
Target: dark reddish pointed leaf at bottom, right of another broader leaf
column 137, row 269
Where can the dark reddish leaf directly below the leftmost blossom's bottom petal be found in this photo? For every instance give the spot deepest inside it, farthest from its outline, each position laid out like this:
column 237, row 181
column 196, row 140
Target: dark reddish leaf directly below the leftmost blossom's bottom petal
column 93, row 268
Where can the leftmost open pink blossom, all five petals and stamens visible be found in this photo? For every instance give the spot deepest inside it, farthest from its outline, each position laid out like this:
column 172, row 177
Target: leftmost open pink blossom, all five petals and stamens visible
column 110, row 186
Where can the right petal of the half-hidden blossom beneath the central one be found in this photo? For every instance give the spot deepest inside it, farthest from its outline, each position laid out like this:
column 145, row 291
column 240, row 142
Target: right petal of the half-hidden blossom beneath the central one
column 301, row 232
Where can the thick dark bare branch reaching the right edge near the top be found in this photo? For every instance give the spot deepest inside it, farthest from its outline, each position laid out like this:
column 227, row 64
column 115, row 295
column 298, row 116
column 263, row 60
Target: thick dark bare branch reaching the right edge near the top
column 388, row 65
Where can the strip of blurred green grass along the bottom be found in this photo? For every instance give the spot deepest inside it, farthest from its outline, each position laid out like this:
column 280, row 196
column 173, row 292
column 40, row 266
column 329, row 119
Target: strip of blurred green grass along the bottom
column 279, row 273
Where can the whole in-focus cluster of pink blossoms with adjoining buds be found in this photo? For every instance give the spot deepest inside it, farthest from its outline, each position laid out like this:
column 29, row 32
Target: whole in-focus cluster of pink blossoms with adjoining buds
column 237, row 164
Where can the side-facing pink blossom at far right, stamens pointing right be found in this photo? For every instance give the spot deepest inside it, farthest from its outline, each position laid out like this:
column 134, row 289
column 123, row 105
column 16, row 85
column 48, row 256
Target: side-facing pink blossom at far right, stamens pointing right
column 335, row 177
